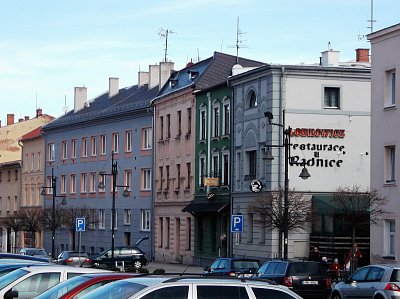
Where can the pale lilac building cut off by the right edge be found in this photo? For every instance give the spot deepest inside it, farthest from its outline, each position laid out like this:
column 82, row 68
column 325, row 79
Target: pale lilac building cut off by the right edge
column 385, row 140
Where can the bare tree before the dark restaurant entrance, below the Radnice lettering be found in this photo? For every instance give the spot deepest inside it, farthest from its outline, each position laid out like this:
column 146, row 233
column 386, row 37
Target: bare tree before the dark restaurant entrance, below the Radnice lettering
column 359, row 207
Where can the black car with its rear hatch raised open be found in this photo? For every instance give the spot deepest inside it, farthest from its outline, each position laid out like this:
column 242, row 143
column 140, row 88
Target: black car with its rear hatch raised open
column 129, row 256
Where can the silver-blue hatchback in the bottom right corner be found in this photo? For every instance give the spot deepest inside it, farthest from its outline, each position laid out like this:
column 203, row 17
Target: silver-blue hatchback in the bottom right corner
column 372, row 282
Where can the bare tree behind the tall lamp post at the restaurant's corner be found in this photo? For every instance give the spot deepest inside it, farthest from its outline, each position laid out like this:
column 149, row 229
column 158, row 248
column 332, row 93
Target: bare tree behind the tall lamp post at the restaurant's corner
column 269, row 206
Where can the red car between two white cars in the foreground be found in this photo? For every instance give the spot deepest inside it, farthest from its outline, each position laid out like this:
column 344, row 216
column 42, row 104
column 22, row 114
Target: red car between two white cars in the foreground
column 82, row 284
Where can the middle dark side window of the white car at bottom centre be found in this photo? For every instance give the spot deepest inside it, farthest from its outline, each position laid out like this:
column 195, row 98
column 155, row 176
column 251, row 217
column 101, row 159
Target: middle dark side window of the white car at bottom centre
column 221, row 292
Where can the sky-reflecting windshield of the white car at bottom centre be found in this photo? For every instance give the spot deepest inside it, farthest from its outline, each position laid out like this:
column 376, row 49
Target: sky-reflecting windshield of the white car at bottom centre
column 116, row 290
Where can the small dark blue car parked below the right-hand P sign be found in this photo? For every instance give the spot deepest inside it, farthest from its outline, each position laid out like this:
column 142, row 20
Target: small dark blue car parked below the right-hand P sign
column 233, row 267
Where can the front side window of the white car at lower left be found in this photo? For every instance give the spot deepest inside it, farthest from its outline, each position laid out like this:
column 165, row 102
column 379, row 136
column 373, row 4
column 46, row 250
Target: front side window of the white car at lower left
column 36, row 284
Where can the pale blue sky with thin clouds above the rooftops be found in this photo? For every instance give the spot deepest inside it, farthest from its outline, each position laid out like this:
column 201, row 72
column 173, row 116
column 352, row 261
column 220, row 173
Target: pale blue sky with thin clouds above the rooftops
column 49, row 47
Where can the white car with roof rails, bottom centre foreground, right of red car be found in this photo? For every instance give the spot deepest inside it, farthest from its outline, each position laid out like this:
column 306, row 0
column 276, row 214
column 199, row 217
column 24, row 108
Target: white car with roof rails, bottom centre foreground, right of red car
column 190, row 287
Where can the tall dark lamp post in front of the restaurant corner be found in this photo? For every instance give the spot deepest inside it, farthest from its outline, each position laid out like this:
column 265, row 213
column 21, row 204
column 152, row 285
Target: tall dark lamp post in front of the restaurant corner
column 304, row 175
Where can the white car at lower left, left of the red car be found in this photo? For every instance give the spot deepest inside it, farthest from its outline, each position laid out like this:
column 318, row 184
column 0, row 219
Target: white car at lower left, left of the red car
column 28, row 282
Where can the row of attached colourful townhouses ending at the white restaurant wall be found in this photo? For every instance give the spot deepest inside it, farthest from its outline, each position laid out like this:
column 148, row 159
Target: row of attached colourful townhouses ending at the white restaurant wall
column 175, row 156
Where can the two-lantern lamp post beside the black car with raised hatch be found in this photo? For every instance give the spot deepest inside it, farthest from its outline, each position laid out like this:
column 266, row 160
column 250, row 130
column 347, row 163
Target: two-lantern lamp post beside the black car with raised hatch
column 114, row 173
